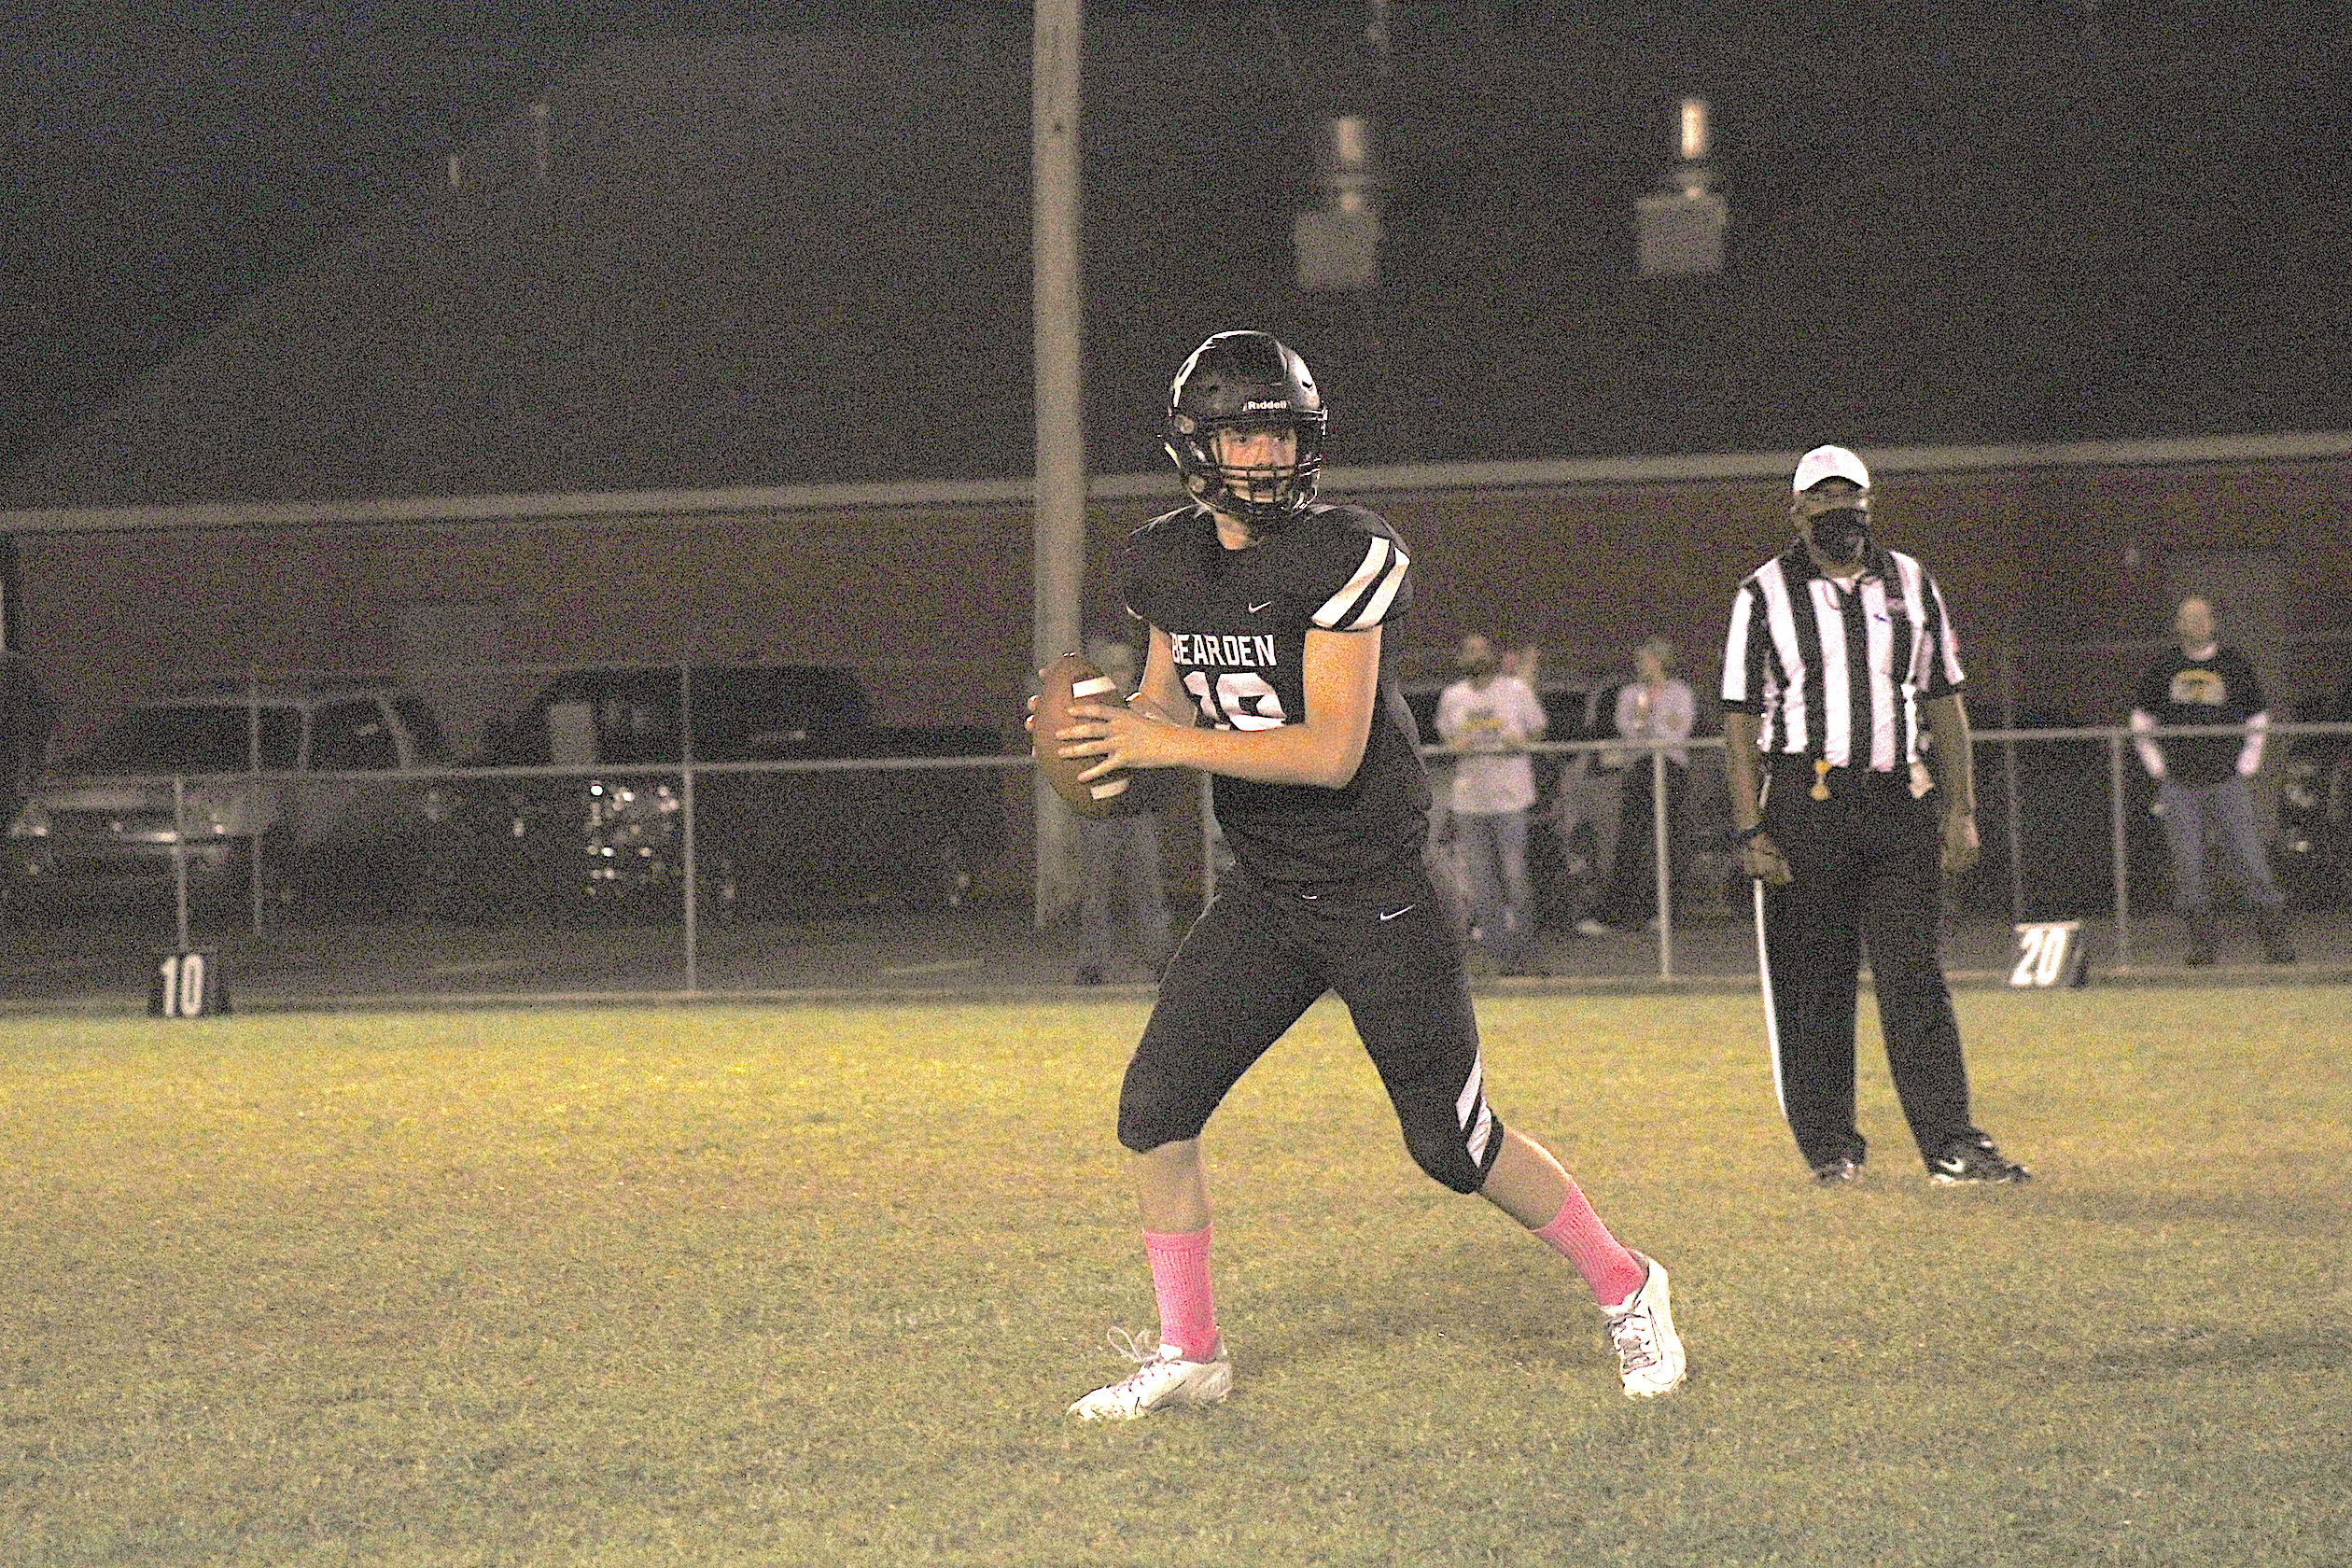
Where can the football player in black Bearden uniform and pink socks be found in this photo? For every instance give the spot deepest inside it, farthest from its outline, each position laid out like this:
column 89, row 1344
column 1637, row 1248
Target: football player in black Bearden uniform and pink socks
column 1271, row 671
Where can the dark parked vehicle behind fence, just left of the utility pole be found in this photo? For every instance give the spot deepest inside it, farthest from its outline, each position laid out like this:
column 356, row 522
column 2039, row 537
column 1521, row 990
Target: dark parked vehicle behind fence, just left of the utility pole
column 763, row 840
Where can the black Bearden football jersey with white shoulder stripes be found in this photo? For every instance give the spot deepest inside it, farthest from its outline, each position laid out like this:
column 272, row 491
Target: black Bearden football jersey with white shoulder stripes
column 1238, row 624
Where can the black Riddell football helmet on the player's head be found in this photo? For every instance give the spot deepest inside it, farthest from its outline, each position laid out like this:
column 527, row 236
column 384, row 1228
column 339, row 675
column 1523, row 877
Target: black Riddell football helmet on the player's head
column 1245, row 380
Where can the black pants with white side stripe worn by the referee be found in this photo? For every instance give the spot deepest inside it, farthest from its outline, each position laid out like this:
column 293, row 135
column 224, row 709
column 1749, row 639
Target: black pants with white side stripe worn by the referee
column 1869, row 878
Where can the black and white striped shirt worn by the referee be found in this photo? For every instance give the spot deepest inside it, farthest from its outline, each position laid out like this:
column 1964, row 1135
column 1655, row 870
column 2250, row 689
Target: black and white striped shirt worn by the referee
column 1838, row 671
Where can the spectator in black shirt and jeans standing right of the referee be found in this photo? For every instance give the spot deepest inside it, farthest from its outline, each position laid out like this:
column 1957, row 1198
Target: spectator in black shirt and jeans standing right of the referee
column 2203, row 779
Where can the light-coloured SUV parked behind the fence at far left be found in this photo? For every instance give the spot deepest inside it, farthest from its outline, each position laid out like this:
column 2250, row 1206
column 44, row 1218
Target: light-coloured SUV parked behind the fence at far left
column 102, row 826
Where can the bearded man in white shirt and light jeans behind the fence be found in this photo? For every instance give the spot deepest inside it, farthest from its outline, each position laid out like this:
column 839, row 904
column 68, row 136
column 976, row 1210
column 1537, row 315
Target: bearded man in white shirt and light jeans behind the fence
column 1488, row 718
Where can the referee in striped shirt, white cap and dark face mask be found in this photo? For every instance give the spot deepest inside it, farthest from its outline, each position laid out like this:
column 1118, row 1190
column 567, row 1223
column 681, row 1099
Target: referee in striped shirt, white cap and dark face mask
column 1840, row 690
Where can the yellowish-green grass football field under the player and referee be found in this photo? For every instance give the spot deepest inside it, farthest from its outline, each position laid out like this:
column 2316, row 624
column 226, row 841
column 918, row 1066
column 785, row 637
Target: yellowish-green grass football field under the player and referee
column 813, row 1287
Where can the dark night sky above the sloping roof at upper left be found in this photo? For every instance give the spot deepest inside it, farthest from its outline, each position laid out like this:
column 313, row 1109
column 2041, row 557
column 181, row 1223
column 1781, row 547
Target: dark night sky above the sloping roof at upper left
column 166, row 163
